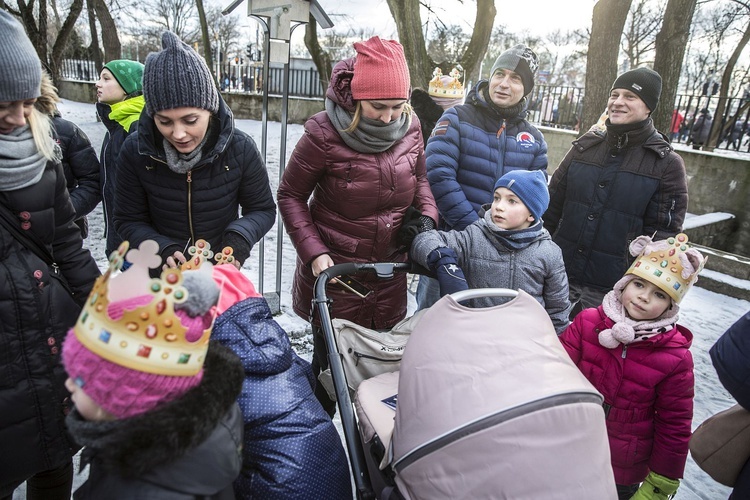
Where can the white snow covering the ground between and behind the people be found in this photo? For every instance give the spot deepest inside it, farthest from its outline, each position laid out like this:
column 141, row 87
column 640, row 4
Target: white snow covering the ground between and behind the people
column 705, row 313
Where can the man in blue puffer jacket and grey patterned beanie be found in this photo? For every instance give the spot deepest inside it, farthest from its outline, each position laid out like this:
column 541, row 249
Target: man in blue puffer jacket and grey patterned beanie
column 475, row 144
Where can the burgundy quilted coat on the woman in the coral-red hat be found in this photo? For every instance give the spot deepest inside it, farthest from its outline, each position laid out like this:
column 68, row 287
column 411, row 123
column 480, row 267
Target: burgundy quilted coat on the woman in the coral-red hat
column 357, row 205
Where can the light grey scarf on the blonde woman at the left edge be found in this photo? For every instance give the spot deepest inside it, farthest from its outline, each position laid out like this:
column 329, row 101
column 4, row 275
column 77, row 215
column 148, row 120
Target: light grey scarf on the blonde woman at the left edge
column 21, row 163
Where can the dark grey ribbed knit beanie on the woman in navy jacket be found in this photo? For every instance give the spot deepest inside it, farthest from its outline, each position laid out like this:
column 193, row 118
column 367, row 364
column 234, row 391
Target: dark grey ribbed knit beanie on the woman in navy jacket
column 177, row 77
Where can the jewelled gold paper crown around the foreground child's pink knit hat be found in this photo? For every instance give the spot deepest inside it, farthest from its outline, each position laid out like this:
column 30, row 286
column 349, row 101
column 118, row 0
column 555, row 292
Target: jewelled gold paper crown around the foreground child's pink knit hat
column 143, row 333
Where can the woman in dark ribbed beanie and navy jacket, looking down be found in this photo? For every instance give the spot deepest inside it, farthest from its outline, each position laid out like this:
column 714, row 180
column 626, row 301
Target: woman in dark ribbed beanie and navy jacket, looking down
column 187, row 172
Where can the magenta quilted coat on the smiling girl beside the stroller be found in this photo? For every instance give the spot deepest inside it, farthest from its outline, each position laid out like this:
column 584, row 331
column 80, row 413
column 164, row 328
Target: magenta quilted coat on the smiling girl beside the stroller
column 649, row 385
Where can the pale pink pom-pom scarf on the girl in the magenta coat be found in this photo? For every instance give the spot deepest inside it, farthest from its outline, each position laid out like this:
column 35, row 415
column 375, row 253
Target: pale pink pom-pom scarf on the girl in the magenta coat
column 627, row 330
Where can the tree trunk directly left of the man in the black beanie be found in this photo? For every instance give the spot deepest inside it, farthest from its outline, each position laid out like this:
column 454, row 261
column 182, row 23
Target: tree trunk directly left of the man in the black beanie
column 601, row 62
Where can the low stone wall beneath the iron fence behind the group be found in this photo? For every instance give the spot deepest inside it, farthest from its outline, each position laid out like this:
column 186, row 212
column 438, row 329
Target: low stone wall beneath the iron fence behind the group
column 716, row 183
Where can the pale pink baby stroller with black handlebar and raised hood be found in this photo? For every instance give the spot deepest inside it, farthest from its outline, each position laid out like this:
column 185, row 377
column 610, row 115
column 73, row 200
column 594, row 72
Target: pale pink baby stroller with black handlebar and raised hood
column 489, row 405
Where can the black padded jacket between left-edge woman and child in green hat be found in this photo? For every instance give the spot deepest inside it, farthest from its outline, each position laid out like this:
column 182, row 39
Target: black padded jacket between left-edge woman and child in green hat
column 80, row 165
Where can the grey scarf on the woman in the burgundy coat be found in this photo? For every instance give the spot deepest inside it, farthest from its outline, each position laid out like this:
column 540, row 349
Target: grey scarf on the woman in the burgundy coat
column 370, row 136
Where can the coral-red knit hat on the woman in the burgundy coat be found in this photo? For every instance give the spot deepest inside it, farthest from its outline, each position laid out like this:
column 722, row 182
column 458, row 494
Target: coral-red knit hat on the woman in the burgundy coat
column 380, row 71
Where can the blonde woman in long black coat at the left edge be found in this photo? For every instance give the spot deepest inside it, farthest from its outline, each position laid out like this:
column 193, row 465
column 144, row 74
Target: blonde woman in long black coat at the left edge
column 35, row 309
